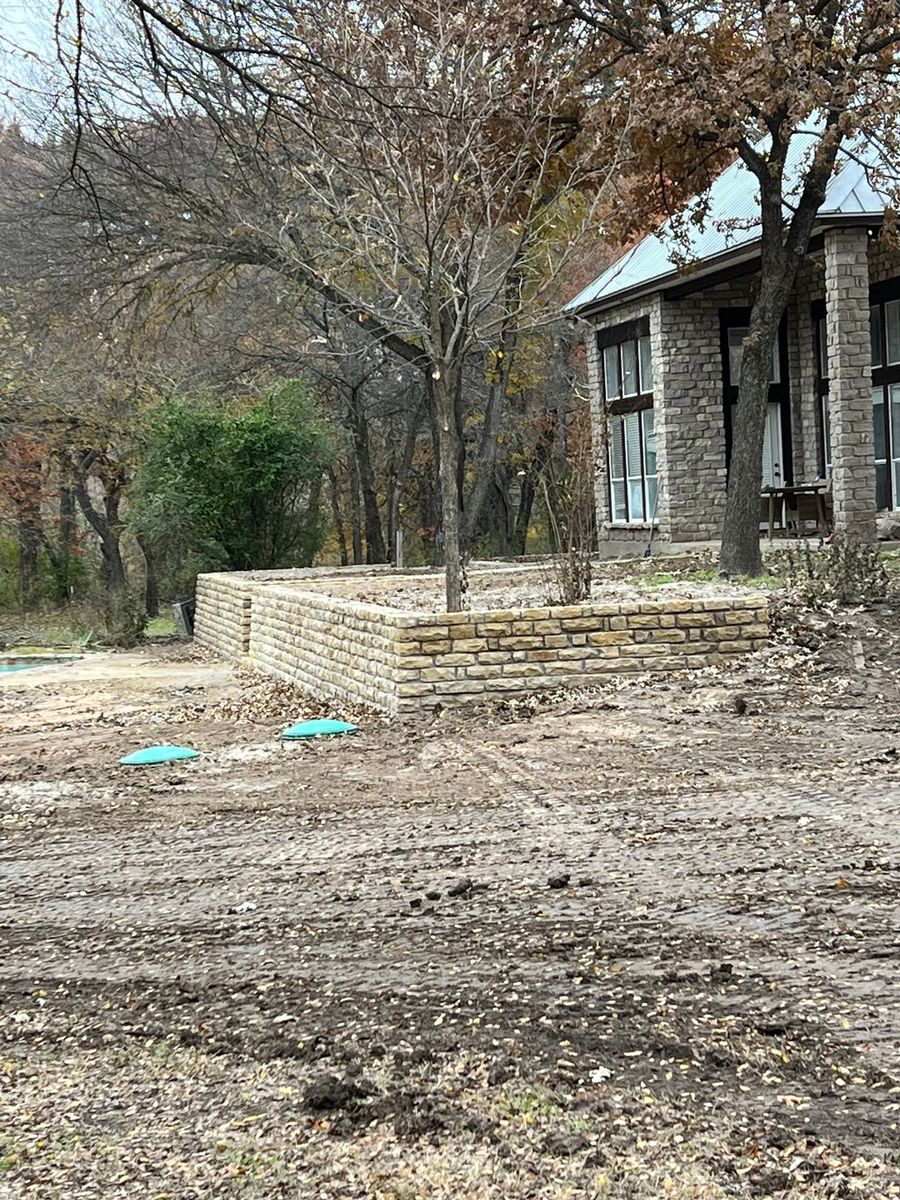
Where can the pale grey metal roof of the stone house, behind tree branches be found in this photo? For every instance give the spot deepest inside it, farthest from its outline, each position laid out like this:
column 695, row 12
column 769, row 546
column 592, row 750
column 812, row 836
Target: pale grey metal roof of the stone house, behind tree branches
column 731, row 223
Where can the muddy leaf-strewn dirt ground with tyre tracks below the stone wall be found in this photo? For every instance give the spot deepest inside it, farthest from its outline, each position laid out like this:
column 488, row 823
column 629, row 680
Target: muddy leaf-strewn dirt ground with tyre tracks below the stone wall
column 639, row 943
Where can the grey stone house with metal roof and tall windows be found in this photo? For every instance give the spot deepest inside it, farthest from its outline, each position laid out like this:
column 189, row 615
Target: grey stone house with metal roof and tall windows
column 664, row 353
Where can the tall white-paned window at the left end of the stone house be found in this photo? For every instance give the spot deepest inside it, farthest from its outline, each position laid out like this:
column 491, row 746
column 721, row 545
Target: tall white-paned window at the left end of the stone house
column 628, row 395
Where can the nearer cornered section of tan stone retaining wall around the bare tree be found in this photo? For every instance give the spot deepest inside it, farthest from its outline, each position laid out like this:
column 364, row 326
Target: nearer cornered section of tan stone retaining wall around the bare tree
column 407, row 663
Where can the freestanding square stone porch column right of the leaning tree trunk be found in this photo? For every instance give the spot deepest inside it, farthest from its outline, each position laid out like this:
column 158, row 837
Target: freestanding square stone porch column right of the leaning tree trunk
column 850, row 401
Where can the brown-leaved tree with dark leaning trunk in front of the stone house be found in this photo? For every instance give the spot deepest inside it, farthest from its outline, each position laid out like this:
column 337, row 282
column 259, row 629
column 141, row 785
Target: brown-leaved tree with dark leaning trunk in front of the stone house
column 743, row 80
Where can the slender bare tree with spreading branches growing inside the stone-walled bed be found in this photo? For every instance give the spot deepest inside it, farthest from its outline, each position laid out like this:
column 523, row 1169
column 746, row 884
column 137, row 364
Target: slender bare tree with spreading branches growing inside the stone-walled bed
column 424, row 173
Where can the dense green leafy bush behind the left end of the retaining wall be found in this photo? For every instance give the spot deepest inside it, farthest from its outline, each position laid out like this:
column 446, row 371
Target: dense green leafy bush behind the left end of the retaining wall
column 237, row 490
